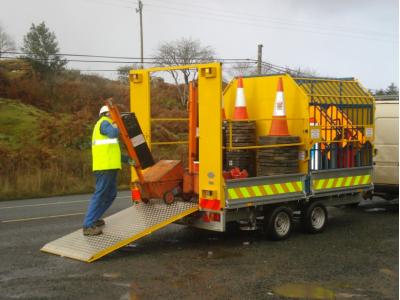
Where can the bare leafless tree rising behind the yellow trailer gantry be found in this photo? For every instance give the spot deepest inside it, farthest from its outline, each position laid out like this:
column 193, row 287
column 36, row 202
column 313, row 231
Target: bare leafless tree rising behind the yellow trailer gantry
column 184, row 51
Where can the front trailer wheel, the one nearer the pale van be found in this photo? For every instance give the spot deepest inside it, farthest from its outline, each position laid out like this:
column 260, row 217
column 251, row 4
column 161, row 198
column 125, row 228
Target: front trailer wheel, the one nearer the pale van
column 315, row 217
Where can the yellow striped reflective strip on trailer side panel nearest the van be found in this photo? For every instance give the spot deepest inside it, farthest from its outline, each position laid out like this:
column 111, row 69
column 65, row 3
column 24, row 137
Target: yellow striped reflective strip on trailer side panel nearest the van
column 339, row 182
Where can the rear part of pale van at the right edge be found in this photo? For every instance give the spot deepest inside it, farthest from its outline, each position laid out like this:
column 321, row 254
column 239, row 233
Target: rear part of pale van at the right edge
column 386, row 159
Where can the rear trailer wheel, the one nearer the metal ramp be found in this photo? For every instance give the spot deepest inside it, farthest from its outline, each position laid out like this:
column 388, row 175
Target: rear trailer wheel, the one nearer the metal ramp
column 278, row 223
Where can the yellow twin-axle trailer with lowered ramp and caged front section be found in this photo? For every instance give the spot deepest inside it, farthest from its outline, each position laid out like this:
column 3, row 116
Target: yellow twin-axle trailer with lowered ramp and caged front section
column 332, row 118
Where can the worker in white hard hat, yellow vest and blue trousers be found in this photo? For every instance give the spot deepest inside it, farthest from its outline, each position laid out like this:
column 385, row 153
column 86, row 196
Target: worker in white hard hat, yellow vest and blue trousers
column 107, row 158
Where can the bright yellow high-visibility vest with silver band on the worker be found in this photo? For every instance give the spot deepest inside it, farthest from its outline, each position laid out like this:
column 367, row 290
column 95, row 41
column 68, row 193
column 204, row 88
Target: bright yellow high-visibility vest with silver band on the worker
column 106, row 153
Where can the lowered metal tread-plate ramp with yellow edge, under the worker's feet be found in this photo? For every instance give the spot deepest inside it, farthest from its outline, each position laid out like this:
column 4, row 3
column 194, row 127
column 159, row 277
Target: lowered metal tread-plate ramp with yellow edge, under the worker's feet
column 121, row 229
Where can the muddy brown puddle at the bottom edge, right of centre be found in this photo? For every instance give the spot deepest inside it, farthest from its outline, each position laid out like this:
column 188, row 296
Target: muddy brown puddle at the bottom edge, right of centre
column 303, row 291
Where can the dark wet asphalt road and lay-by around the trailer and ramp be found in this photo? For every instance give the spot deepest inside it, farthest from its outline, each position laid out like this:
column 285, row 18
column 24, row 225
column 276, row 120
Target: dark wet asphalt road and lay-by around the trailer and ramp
column 355, row 258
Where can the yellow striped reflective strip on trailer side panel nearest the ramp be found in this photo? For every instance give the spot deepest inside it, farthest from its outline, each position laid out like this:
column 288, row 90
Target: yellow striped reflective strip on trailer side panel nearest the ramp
column 265, row 190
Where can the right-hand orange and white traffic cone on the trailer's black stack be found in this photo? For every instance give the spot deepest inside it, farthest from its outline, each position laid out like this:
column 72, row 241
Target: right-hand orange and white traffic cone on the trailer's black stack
column 279, row 123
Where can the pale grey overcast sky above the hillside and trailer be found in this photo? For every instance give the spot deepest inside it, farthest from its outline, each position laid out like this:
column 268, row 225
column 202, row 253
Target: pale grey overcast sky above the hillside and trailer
column 340, row 38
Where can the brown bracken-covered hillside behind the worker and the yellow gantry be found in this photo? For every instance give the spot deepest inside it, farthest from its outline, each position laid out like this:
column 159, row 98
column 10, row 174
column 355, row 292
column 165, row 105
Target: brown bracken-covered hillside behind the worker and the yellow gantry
column 46, row 126
